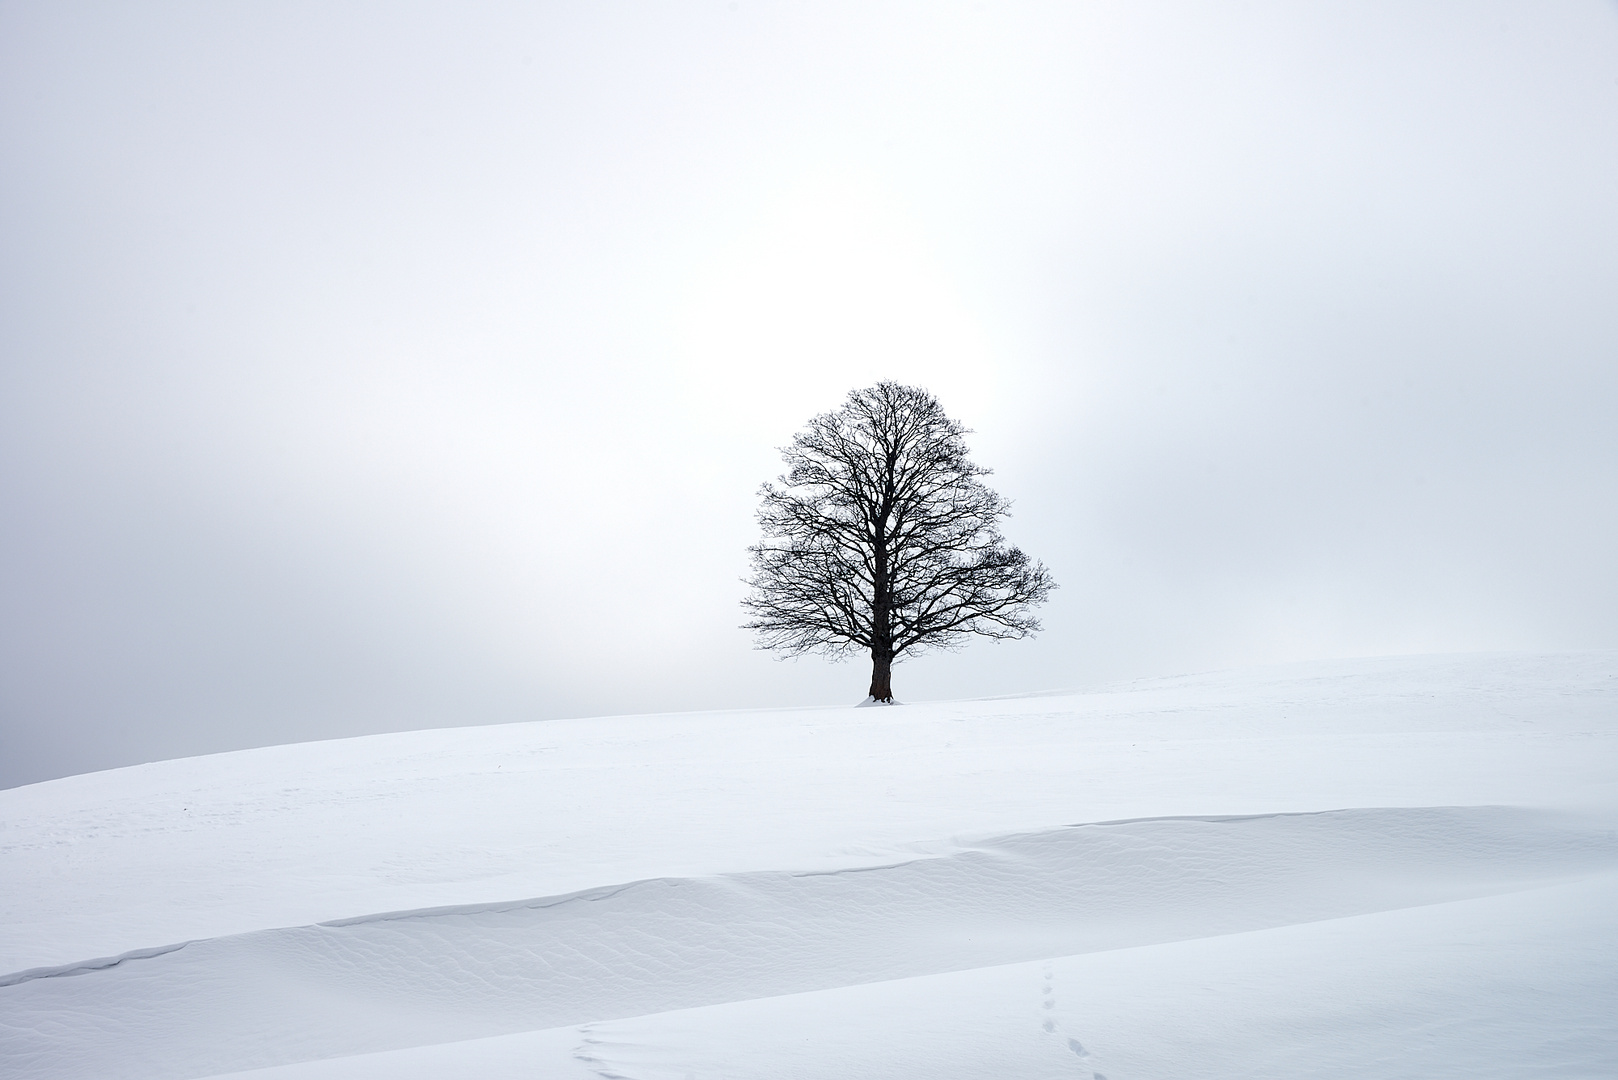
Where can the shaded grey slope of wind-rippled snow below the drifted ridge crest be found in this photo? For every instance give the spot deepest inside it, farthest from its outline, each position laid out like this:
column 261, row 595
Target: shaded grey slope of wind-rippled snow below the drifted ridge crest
column 467, row 972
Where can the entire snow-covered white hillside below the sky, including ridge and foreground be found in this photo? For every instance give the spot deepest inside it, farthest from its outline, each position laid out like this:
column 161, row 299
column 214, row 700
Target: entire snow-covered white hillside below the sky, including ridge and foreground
column 1352, row 869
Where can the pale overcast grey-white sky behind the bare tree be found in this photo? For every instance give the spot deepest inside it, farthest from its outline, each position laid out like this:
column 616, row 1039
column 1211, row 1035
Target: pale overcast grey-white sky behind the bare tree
column 373, row 367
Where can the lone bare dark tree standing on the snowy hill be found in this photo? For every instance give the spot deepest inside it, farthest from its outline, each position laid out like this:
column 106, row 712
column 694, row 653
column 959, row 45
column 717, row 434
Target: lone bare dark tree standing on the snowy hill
column 881, row 537
